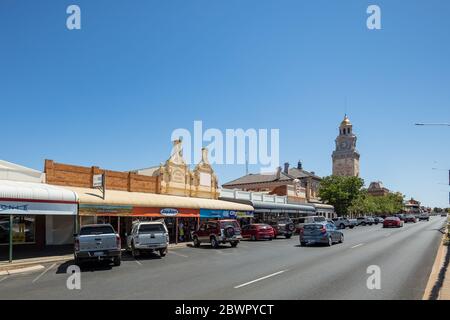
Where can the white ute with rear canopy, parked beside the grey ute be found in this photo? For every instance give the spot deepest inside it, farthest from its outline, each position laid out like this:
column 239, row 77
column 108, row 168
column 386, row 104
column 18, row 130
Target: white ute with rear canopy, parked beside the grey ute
column 148, row 237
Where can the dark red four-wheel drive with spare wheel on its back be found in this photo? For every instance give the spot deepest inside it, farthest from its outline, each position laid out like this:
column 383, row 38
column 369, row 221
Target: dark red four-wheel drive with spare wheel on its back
column 218, row 232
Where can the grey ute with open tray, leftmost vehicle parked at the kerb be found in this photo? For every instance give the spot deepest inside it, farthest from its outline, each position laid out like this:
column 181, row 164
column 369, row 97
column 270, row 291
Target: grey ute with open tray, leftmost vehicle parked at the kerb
column 97, row 242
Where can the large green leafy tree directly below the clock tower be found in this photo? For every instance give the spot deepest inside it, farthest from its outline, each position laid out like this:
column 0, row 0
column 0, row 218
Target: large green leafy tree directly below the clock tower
column 340, row 192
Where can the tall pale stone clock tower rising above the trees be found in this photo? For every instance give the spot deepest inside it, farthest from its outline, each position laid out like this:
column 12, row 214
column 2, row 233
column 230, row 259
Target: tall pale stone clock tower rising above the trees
column 346, row 157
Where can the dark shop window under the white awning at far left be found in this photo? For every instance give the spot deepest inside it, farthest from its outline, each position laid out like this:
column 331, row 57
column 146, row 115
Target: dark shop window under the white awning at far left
column 23, row 229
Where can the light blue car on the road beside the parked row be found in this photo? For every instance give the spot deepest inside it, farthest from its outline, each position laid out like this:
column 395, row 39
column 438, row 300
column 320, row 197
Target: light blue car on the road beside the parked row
column 324, row 233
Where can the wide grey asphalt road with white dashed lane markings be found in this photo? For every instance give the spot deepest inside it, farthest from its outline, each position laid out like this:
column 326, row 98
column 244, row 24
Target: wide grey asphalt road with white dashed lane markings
column 278, row 269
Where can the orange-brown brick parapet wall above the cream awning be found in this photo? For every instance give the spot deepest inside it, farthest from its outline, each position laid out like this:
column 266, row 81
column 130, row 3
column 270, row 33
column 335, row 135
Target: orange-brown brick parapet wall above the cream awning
column 78, row 176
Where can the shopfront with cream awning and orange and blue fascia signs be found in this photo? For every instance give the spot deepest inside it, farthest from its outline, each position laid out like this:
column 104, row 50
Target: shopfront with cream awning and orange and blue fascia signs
column 180, row 214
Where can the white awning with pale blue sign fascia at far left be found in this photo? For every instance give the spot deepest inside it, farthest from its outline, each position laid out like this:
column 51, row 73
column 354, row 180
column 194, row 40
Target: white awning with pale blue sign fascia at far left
column 28, row 198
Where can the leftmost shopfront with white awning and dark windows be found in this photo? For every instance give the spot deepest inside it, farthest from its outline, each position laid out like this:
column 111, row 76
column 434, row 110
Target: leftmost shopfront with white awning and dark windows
column 26, row 210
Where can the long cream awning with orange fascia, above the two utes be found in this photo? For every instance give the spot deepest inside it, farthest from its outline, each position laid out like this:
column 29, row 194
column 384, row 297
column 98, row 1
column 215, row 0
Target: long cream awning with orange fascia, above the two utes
column 123, row 203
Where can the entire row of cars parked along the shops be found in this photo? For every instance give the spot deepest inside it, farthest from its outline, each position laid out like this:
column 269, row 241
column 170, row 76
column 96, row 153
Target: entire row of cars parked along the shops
column 101, row 242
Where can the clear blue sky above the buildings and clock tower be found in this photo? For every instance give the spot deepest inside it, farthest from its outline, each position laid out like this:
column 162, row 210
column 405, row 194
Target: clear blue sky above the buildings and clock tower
column 111, row 93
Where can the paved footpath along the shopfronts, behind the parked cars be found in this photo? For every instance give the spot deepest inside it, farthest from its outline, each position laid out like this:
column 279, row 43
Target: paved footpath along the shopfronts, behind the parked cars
column 27, row 263
